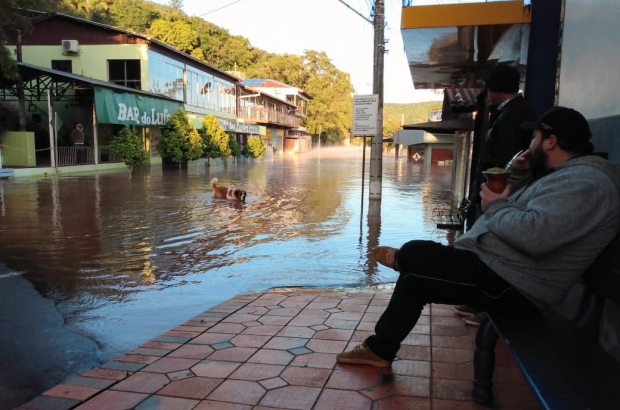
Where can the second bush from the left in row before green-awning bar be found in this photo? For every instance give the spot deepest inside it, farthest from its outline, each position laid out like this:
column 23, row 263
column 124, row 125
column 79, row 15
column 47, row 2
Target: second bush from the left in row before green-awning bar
column 180, row 141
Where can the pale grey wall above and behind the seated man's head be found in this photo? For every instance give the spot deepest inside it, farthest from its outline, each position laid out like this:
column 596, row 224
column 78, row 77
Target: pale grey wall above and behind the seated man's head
column 588, row 76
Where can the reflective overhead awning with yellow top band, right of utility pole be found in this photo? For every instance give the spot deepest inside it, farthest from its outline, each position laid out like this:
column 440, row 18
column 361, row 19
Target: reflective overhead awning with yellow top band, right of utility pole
column 456, row 45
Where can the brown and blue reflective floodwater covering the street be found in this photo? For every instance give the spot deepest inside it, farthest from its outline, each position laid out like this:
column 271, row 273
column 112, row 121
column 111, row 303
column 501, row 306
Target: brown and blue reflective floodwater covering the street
column 126, row 257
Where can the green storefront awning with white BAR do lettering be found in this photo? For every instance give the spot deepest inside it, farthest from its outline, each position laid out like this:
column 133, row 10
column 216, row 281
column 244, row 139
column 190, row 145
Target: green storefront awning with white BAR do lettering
column 132, row 109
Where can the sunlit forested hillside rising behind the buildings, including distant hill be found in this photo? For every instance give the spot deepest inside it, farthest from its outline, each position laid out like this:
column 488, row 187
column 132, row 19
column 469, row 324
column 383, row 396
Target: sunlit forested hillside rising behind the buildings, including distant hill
column 331, row 89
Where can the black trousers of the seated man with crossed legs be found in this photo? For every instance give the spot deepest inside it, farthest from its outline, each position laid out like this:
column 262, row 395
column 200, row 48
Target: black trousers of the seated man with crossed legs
column 434, row 273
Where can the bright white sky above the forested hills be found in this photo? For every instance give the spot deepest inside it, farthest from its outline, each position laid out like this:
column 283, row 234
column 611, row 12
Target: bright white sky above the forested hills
column 292, row 26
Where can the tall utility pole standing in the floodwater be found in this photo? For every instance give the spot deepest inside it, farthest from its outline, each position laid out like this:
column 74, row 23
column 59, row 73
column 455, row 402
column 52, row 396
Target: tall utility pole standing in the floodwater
column 376, row 147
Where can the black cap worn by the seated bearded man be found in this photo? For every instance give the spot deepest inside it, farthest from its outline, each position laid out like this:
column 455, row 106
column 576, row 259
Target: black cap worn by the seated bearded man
column 565, row 123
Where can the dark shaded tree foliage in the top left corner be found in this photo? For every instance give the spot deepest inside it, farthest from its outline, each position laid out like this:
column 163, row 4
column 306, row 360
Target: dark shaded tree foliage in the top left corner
column 12, row 19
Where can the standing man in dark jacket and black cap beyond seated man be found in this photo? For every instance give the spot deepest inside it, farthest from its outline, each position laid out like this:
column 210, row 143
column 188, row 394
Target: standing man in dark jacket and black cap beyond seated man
column 505, row 137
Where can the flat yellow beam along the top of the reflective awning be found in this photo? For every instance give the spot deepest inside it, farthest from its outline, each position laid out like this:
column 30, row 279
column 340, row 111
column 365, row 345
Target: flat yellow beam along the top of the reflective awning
column 466, row 14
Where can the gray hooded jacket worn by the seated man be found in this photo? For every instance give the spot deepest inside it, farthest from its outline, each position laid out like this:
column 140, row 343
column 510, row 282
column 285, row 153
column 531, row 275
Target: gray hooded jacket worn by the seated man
column 545, row 235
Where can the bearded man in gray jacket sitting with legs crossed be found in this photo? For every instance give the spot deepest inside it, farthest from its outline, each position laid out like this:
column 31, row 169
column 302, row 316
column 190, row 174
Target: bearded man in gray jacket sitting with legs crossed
column 526, row 251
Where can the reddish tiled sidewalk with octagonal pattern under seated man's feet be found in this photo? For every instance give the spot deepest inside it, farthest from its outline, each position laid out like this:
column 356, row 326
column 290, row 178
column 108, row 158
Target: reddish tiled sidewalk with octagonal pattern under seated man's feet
column 277, row 350
